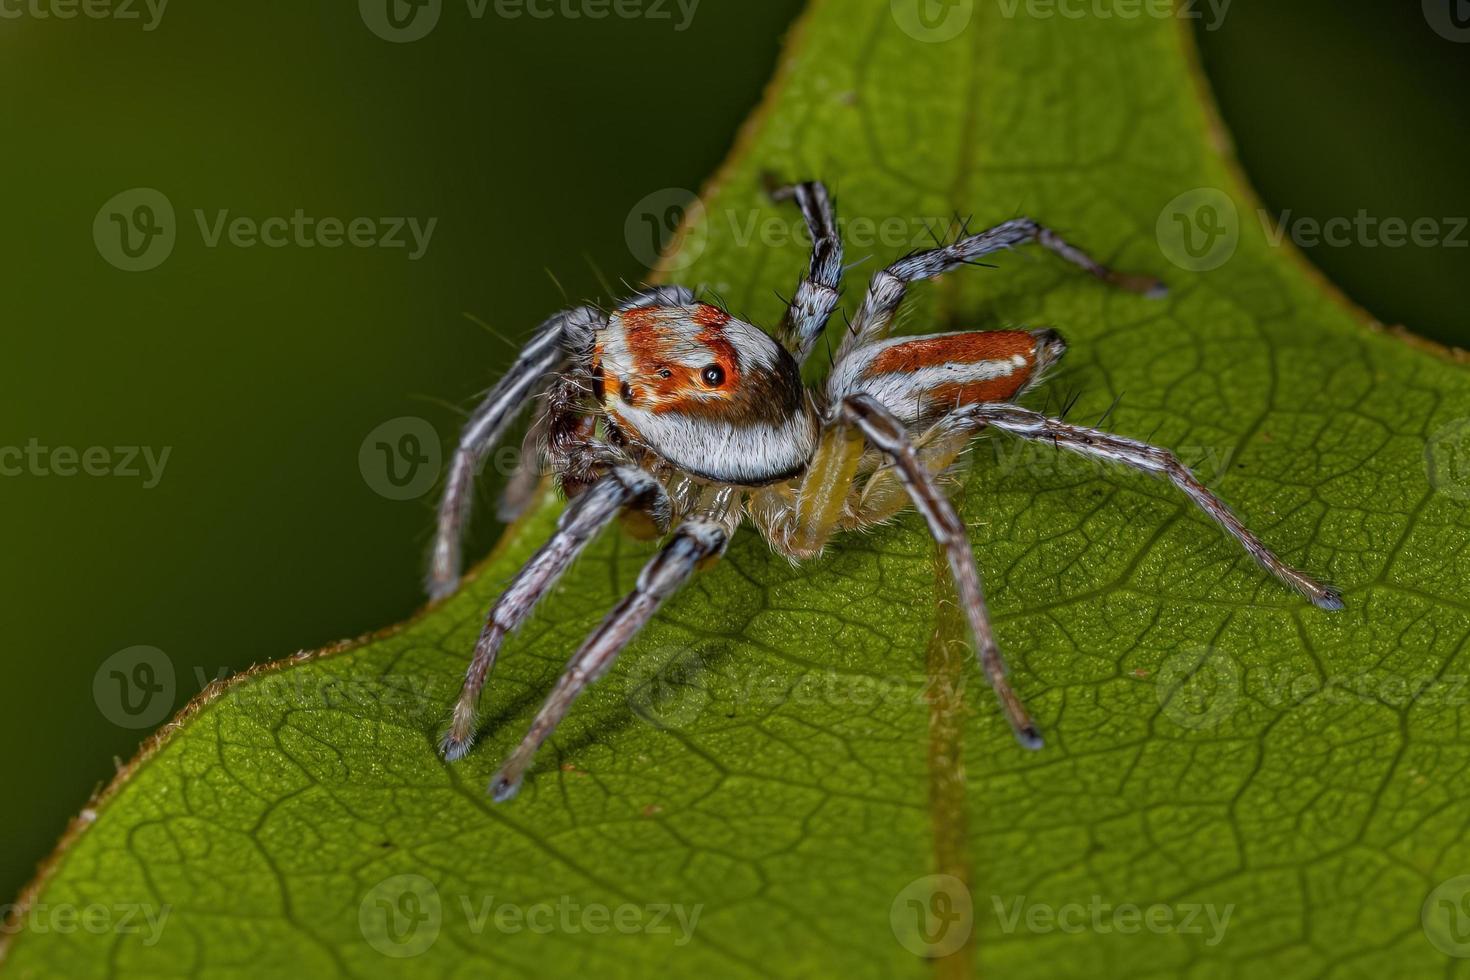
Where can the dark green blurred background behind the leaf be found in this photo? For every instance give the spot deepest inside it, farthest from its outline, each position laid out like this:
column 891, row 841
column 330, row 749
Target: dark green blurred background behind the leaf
column 262, row 370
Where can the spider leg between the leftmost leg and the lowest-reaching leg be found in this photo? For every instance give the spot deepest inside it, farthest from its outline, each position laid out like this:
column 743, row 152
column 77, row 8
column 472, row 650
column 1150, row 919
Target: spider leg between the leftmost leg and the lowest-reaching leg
column 587, row 515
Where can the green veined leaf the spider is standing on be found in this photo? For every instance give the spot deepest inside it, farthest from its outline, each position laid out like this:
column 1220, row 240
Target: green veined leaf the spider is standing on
column 789, row 754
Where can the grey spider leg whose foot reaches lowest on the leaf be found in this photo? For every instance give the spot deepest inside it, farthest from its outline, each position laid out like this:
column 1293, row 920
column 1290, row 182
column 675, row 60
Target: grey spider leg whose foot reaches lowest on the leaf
column 695, row 543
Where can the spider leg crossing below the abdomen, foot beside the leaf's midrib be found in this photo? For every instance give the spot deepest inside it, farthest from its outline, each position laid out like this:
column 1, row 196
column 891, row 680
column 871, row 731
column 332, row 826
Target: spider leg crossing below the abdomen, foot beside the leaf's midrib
column 887, row 433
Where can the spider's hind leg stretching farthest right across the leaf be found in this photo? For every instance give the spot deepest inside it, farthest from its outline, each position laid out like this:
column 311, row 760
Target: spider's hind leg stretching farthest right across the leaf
column 1140, row 456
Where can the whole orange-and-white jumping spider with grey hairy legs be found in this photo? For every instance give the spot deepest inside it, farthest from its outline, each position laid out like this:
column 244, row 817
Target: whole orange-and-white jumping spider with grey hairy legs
column 681, row 417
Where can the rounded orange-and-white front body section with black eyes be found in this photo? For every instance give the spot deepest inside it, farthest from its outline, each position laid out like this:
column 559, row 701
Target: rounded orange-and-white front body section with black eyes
column 712, row 394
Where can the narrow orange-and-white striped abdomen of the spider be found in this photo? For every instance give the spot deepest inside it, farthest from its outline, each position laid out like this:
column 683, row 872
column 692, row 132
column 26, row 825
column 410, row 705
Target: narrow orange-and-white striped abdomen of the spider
column 921, row 378
